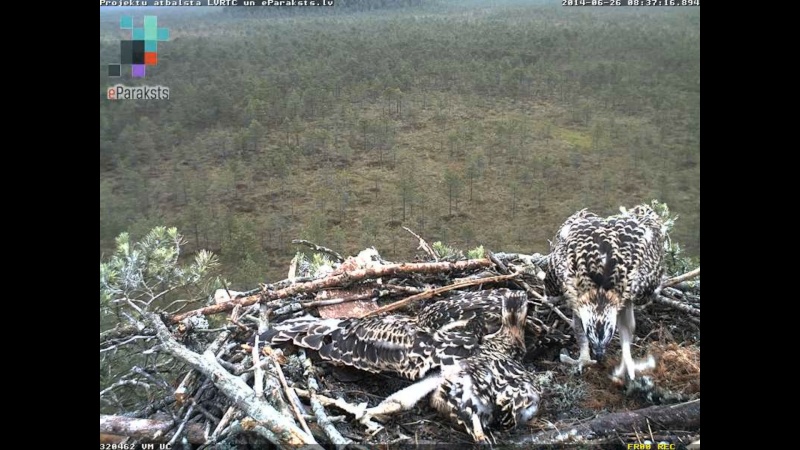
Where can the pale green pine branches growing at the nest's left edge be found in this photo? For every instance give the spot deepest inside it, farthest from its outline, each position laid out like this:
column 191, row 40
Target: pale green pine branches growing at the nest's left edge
column 141, row 276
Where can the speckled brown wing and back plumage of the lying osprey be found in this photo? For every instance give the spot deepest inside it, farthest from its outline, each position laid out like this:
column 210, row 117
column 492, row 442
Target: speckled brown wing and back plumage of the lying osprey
column 444, row 331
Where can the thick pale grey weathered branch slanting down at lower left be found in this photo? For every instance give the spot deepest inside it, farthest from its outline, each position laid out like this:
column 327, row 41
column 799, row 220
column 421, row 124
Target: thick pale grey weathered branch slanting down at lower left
column 285, row 431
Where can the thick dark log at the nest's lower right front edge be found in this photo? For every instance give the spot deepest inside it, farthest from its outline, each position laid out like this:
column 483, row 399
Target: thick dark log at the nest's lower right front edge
column 680, row 416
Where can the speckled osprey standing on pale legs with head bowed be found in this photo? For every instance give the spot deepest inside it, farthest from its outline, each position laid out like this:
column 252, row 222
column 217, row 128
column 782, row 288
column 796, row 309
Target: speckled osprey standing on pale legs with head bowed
column 602, row 266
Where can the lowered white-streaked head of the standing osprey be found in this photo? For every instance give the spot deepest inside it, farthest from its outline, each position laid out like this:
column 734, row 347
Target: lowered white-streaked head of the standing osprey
column 598, row 313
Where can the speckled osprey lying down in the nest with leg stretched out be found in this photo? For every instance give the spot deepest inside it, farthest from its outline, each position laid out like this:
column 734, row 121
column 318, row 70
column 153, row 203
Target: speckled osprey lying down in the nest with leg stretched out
column 472, row 369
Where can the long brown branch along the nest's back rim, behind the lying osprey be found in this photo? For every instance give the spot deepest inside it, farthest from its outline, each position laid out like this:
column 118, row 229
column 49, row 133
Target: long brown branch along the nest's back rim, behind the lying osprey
column 403, row 269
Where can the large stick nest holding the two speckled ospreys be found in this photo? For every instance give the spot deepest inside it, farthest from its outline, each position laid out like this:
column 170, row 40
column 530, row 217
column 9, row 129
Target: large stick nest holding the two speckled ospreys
column 231, row 402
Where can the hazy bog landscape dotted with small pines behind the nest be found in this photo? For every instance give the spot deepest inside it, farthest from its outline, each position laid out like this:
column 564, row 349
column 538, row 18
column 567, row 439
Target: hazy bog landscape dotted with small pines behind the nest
column 339, row 125
